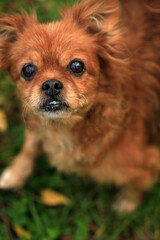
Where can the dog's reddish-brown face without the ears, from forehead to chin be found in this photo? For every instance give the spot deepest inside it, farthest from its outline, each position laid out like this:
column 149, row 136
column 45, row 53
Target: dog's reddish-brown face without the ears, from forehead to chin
column 56, row 69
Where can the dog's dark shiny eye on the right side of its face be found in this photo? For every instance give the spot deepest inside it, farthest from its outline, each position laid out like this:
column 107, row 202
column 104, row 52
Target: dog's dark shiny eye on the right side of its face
column 77, row 67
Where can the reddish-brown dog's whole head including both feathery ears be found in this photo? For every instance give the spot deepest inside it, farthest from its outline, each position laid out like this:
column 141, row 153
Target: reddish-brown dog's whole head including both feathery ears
column 57, row 66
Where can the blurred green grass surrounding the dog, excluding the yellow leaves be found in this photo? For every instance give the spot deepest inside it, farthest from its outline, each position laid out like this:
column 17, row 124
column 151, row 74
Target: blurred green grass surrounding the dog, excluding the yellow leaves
column 89, row 215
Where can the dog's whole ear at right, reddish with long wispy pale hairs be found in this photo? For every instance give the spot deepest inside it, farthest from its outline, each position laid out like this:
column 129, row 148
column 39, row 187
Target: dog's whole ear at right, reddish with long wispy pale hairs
column 100, row 19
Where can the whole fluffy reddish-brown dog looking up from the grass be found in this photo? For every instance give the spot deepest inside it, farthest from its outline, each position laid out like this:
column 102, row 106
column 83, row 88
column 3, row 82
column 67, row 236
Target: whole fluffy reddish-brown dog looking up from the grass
column 90, row 91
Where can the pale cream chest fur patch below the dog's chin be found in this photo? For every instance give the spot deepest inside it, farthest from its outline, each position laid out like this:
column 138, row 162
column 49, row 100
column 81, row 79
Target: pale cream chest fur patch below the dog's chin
column 63, row 150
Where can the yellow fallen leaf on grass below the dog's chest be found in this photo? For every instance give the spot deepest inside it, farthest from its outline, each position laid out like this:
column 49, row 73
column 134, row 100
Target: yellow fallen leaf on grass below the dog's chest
column 53, row 198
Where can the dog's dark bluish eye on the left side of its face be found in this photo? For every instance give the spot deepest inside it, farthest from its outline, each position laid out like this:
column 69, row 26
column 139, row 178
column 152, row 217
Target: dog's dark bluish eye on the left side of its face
column 28, row 71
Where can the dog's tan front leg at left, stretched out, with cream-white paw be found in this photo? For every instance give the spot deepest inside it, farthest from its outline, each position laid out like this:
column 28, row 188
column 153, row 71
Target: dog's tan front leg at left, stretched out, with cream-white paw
column 22, row 166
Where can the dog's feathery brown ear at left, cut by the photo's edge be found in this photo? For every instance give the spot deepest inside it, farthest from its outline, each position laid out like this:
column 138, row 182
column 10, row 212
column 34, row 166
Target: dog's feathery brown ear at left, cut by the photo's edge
column 10, row 29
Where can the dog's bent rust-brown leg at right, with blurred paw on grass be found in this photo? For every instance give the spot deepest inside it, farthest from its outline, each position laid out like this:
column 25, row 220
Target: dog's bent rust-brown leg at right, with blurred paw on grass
column 141, row 167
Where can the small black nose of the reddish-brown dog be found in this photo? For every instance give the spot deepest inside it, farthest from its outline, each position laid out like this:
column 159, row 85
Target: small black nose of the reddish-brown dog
column 52, row 87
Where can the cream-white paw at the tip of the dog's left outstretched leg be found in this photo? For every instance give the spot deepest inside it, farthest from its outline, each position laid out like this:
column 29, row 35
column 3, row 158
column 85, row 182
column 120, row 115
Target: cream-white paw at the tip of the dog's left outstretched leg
column 10, row 179
